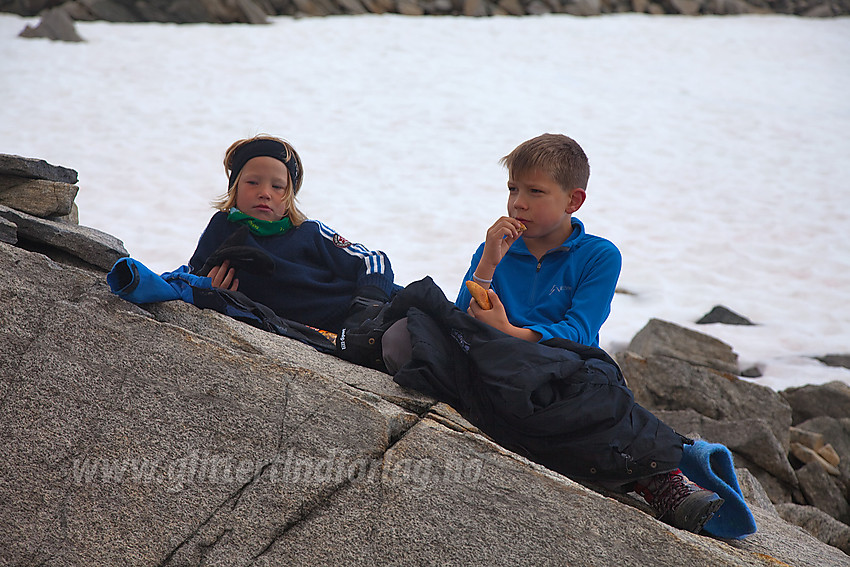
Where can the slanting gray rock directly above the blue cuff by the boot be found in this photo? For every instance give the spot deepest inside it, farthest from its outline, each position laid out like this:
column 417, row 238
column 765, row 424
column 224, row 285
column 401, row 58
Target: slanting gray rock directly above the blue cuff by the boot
column 751, row 438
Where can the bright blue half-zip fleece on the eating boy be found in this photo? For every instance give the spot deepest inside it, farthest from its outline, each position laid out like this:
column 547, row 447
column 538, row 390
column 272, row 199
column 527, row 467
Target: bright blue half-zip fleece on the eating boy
column 567, row 294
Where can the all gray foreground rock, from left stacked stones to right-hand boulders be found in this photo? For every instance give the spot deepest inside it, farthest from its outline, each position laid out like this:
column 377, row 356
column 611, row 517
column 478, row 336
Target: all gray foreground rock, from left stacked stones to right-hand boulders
column 167, row 435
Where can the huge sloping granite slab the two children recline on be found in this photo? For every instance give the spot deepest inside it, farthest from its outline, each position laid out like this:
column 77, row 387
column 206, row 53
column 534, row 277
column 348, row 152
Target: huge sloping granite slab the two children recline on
column 168, row 435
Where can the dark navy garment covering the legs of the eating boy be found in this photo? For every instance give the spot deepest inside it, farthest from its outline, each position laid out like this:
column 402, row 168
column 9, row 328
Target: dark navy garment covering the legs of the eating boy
column 562, row 404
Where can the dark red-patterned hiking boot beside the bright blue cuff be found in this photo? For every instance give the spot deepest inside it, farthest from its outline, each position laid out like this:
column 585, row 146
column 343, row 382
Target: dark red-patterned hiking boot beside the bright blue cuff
column 678, row 501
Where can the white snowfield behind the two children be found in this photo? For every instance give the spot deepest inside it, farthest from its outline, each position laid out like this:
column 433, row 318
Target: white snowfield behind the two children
column 719, row 147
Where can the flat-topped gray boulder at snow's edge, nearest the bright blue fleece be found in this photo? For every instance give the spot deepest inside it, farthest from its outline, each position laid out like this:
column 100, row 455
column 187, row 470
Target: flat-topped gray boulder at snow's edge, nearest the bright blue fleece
column 662, row 338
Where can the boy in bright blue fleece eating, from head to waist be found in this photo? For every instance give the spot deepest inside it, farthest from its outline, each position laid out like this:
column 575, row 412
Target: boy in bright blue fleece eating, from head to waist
column 546, row 276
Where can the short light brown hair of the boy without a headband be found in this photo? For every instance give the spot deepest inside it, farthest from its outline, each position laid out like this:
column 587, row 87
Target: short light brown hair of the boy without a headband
column 555, row 154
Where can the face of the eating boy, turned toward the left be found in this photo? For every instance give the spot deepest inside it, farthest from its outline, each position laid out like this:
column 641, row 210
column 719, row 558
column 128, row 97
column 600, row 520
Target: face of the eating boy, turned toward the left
column 540, row 203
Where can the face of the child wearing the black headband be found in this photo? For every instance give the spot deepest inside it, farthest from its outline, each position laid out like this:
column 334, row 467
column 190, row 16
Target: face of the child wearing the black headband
column 263, row 189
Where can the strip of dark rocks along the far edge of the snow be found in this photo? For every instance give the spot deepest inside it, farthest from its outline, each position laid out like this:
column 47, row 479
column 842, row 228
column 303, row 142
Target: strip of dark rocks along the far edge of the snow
column 58, row 15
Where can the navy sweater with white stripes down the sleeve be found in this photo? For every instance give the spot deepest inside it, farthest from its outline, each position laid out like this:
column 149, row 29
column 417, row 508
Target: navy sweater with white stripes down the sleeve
column 316, row 271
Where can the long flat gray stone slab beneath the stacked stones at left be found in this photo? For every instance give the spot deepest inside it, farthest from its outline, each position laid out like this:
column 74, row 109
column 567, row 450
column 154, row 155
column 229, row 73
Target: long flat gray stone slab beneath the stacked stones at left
column 92, row 246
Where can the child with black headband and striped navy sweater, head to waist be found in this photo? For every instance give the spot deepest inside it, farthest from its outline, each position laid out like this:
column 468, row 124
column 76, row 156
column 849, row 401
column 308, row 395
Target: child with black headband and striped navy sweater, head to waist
column 260, row 244
